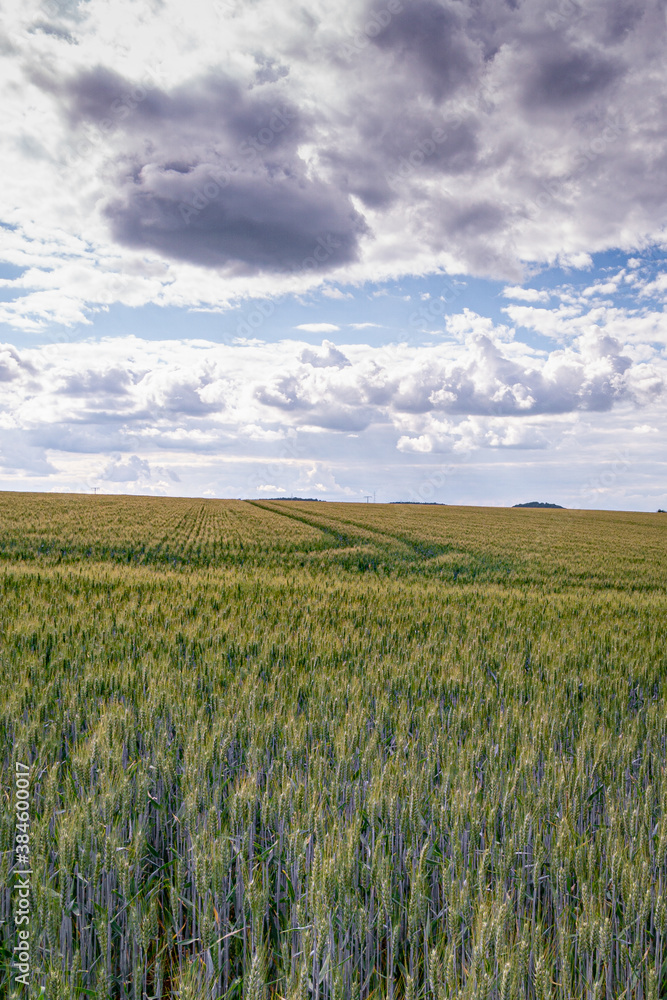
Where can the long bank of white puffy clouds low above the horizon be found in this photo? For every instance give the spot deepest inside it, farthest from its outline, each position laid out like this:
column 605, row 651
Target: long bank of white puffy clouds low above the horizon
column 162, row 416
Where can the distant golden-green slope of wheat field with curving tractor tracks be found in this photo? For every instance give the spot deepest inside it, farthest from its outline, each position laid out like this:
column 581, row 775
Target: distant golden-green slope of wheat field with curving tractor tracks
column 447, row 544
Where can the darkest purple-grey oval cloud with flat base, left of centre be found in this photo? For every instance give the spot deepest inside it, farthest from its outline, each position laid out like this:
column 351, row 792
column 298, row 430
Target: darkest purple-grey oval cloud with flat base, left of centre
column 267, row 221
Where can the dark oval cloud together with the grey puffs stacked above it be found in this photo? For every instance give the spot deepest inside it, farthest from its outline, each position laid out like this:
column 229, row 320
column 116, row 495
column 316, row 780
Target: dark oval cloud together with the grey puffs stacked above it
column 210, row 173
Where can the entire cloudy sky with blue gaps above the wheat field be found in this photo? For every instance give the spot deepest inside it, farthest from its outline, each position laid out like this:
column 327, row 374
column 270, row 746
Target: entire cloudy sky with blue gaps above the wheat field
column 262, row 248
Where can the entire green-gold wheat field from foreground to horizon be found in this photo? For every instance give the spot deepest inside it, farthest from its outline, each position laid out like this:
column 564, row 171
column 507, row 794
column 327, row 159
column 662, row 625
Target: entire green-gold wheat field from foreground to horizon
column 335, row 751
